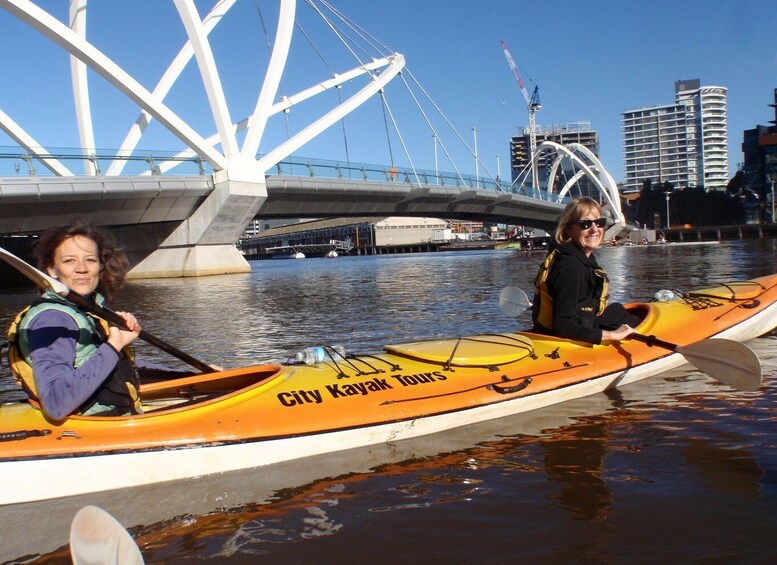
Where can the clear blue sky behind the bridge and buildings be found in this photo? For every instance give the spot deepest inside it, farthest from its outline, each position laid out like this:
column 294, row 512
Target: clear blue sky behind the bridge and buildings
column 591, row 60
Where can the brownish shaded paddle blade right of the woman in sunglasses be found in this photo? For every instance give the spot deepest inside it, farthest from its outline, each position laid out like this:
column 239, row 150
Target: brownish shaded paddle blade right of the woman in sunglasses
column 727, row 361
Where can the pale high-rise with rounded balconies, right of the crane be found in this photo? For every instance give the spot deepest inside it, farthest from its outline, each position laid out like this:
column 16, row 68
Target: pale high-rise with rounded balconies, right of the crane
column 685, row 143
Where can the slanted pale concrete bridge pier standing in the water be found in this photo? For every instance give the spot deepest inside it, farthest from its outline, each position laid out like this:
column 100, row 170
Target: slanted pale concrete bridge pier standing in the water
column 204, row 243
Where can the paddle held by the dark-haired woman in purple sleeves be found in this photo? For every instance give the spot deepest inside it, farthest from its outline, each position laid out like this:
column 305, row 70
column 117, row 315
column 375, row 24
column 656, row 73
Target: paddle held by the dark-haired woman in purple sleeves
column 47, row 282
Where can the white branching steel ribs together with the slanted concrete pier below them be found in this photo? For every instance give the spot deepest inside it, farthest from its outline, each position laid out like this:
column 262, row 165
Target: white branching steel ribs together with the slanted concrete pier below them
column 204, row 243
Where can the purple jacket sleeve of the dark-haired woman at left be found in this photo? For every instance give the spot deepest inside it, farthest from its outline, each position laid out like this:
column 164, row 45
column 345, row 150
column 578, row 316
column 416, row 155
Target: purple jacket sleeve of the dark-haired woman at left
column 62, row 388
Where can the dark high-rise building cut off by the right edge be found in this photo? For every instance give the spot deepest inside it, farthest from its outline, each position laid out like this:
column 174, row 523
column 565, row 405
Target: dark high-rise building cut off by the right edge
column 760, row 149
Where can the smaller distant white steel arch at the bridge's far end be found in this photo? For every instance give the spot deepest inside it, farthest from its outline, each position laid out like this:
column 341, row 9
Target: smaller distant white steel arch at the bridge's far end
column 587, row 165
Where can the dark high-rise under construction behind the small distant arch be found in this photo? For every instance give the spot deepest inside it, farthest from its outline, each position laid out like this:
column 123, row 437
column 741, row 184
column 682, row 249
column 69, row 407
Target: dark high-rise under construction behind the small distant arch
column 564, row 134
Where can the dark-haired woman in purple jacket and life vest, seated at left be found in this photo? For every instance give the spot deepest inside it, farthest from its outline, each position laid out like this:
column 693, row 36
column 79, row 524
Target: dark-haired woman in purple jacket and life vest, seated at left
column 67, row 360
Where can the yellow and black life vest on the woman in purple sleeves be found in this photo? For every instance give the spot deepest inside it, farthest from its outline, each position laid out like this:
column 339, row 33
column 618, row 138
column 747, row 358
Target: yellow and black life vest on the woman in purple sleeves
column 120, row 389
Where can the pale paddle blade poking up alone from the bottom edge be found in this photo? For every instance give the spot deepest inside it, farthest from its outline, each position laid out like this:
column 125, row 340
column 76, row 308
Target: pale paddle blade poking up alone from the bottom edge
column 97, row 538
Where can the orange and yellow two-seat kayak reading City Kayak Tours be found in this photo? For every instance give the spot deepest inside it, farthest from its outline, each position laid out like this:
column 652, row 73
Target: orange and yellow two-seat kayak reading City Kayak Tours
column 264, row 414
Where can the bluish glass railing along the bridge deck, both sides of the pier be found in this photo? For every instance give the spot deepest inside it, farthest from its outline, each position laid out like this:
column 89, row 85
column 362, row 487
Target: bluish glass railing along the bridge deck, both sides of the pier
column 16, row 162
